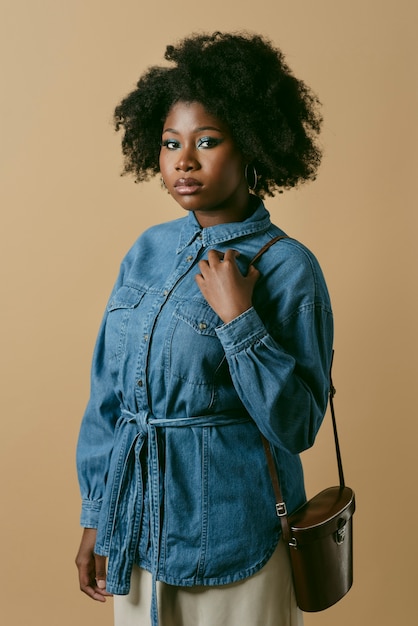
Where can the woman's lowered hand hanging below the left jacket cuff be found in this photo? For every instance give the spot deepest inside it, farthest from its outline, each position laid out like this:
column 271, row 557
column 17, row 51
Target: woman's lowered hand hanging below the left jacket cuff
column 91, row 567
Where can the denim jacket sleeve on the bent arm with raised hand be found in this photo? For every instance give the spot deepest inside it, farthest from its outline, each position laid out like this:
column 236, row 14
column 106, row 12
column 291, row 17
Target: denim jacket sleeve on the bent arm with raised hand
column 280, row 365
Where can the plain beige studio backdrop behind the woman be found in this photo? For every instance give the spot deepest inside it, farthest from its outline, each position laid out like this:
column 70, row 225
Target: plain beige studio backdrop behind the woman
column 67, row 218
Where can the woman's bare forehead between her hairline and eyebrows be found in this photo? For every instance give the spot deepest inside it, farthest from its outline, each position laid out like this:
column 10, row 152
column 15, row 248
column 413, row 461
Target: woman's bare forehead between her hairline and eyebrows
column 190, row 117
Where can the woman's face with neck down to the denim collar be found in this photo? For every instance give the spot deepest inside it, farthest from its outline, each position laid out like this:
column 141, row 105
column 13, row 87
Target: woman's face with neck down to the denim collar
column 201, row 166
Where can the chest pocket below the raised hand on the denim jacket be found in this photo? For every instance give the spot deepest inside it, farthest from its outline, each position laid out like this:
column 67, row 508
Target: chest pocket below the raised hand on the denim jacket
column 196, row 354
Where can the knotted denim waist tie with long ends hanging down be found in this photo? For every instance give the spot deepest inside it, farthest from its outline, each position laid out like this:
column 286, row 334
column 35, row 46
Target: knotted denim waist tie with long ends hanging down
column 117, row 536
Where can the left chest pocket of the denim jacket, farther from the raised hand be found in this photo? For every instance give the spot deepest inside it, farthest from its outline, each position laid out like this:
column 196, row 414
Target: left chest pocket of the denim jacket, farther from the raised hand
column 119, row 320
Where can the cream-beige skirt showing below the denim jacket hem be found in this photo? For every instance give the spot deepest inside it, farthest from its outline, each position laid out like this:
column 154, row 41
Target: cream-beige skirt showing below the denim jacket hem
column 265, row 599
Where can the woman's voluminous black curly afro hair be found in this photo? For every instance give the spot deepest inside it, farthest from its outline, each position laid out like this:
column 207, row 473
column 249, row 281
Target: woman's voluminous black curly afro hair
column 242, row 80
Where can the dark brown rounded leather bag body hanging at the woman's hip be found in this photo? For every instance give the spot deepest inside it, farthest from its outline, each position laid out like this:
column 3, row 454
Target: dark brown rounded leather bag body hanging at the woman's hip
column 321, row 548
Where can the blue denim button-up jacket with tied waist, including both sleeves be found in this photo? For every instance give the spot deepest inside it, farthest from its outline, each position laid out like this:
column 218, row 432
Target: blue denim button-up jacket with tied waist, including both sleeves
column 170, row 460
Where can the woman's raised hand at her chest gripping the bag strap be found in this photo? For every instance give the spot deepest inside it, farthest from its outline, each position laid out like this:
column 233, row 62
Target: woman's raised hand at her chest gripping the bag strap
column 226, row 290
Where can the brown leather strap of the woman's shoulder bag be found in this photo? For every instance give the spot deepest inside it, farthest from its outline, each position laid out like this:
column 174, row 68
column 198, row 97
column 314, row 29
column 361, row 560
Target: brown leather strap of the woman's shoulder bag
column 281, row 509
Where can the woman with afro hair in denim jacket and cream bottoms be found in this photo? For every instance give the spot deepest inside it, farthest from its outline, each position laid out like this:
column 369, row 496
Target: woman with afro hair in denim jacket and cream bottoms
column 200, row 350
